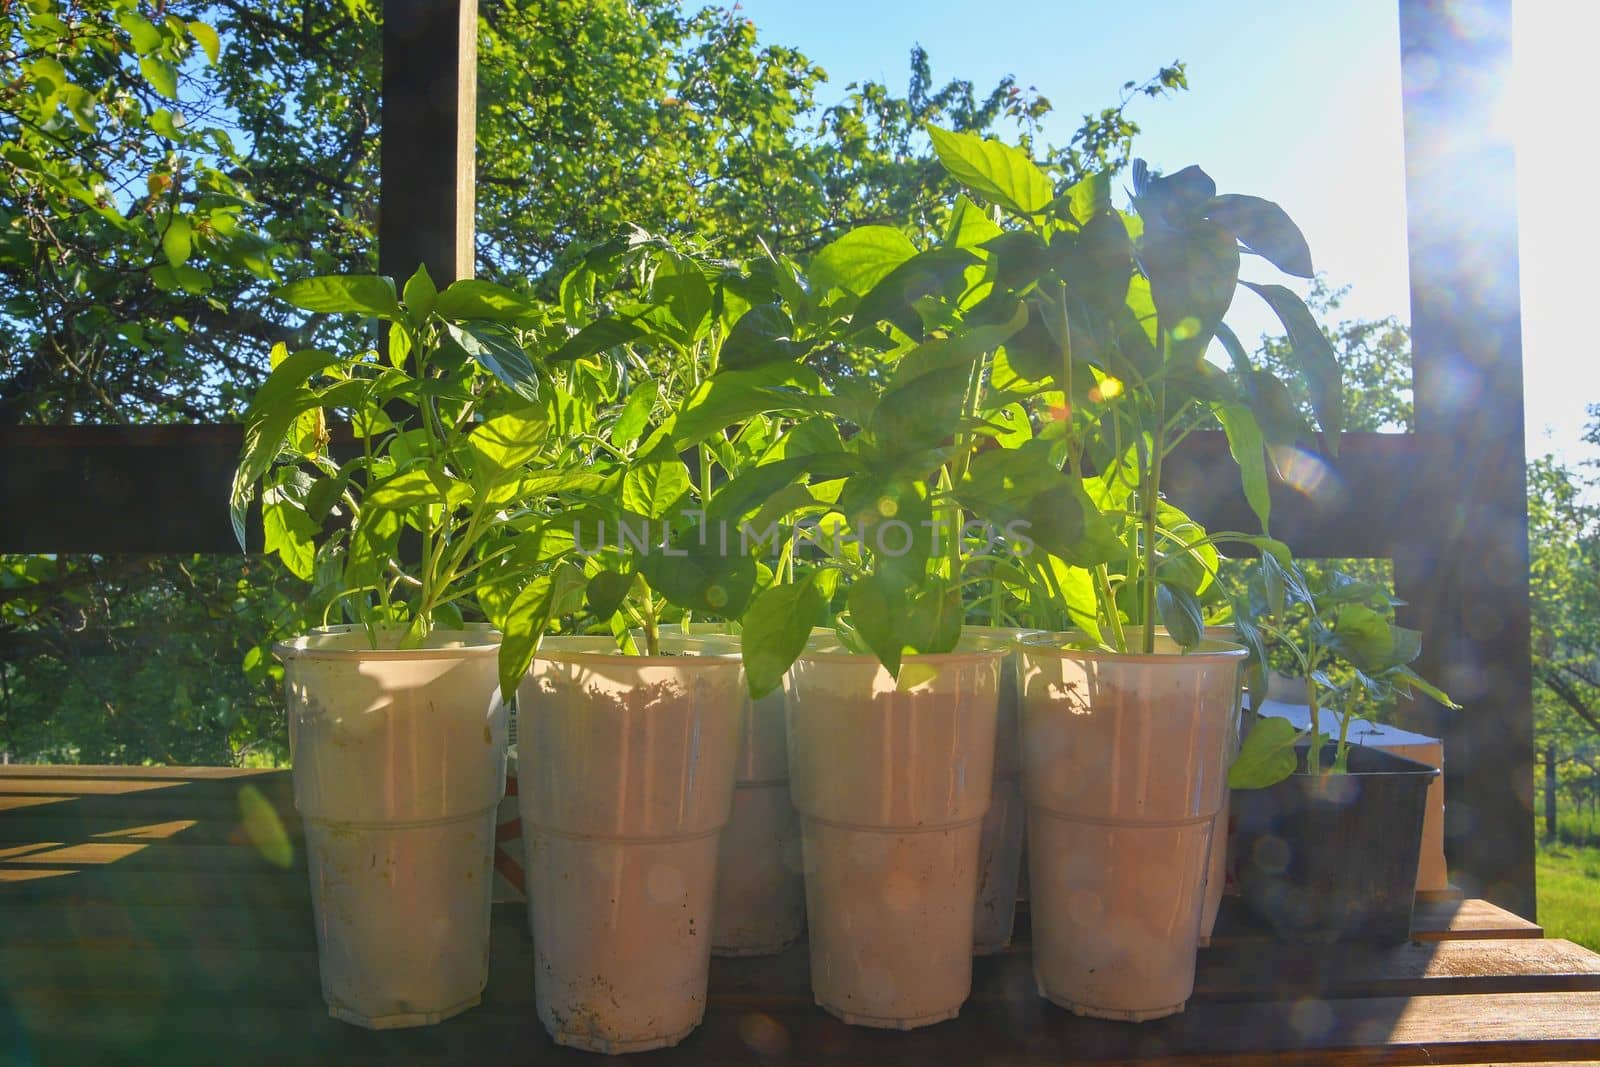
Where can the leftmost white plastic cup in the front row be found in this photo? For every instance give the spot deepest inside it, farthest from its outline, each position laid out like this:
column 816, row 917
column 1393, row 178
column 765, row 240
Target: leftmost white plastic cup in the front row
column 399, row 765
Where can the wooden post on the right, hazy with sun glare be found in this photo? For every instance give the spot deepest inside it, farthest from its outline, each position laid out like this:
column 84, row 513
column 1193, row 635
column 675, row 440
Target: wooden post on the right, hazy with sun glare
column 1465, row 565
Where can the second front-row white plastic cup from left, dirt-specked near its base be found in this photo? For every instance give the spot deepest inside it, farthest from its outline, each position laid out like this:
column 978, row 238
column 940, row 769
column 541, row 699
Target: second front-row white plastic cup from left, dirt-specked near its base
column 626, row 781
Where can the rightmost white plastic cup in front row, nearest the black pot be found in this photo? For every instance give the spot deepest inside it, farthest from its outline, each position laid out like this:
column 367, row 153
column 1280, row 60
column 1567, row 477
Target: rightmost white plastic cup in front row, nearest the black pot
column 1124, row 765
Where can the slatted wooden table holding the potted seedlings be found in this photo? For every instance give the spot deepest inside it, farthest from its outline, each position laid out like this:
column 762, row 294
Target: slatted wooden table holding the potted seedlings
column 142, row 921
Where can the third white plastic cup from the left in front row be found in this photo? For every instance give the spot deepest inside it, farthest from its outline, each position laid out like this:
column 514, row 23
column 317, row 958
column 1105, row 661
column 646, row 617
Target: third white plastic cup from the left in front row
column 892, row 786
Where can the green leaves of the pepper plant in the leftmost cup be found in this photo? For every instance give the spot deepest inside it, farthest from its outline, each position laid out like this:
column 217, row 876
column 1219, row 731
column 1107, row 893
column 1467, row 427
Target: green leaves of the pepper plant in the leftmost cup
column 447, row 441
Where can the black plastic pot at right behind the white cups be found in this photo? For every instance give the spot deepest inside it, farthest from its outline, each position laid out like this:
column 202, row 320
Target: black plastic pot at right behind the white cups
column 1335, row 857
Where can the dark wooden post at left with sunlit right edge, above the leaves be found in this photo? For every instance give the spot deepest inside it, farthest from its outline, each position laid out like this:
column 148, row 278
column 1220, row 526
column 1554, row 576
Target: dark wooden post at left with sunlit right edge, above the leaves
column 430, row 132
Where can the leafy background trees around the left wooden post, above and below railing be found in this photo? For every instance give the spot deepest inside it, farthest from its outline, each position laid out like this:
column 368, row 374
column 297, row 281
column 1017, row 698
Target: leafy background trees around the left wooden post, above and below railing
column 166, row 164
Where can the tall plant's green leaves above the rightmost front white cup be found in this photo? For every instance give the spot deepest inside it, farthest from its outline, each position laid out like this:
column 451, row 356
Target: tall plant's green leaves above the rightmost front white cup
column 1119, row 313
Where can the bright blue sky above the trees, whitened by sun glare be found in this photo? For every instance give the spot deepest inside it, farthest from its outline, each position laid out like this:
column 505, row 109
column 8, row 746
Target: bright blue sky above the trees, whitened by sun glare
column 1294, row 102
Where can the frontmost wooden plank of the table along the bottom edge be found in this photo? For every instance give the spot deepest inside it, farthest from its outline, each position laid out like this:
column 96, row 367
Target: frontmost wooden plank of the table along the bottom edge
column 175, row 1025
